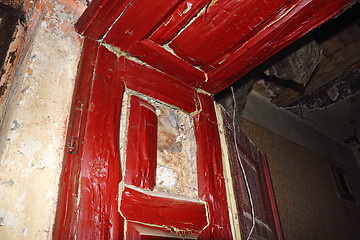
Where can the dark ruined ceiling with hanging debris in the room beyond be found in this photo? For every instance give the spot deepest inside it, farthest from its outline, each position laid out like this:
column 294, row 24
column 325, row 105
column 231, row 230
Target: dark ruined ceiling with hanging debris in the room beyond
column 316, row 78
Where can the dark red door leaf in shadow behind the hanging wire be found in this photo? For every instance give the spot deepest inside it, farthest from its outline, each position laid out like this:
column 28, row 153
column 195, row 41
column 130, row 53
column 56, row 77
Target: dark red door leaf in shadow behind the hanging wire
column 267, row 225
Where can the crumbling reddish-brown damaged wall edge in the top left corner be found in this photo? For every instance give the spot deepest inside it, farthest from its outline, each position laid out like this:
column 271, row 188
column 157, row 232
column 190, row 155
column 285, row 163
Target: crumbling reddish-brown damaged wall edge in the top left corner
column 29, row 15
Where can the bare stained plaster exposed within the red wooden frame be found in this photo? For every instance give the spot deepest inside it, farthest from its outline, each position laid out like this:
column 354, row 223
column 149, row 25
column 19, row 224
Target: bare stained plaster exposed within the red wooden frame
column 176, row 171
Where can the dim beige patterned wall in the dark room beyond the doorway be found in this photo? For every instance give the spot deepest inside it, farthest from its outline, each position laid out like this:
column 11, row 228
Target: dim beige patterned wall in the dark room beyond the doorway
column 307, row 198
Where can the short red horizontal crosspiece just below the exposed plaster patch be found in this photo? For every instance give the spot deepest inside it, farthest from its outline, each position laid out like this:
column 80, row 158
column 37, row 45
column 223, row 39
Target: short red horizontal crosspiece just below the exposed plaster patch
column 149, row 208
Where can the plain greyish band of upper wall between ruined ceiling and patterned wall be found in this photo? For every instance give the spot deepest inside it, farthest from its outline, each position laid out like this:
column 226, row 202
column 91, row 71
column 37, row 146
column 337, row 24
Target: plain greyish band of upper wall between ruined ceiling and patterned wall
column 260, row 111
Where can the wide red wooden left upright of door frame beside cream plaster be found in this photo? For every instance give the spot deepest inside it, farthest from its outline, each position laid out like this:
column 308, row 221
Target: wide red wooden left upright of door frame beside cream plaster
column 88, row 195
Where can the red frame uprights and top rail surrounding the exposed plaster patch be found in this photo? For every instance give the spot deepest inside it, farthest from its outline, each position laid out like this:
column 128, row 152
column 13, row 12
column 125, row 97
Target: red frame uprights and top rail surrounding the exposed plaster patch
column 88, row 196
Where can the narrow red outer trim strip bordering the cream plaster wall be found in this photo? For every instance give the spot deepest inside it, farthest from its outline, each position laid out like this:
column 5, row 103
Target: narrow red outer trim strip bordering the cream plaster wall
column 66, row 215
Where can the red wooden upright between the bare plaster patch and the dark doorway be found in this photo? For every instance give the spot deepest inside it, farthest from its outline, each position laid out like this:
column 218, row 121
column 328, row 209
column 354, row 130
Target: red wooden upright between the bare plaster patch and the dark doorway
column 210, row 170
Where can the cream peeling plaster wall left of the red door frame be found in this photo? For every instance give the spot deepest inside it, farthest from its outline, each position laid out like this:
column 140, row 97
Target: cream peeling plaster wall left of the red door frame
column 37, row 116
